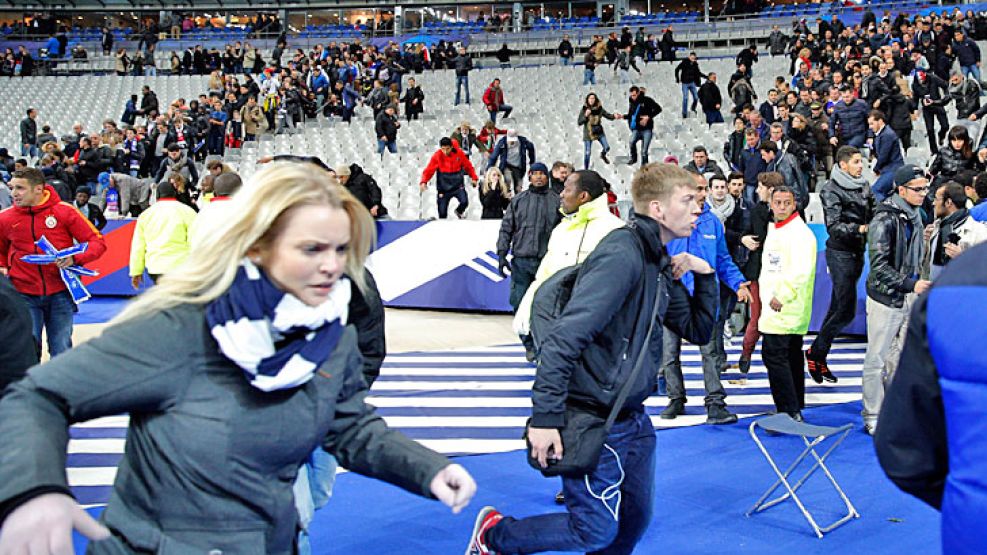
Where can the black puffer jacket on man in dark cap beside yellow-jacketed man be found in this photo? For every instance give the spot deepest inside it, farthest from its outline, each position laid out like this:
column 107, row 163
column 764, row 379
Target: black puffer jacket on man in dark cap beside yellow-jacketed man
column 528, row 223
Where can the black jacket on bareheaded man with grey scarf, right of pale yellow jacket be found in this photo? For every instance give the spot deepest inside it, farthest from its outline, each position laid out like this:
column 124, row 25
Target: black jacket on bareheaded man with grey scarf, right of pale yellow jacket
column 845, row 211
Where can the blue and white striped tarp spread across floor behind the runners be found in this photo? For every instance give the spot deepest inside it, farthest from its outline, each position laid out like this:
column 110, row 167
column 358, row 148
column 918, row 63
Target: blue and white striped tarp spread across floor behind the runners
column 476, row 401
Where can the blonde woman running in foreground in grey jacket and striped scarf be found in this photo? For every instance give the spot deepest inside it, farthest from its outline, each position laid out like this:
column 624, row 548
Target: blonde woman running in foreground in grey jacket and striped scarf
column 250, row 368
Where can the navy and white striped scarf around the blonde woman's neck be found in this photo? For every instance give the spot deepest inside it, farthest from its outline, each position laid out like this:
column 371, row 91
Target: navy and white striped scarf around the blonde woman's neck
column 278, row 341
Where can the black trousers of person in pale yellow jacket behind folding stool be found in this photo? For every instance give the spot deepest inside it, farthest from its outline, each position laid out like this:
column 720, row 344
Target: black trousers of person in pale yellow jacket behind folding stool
column 782, row 355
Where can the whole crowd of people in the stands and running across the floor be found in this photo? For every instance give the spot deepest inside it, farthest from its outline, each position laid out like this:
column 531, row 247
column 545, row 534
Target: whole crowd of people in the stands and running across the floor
column 278, row 262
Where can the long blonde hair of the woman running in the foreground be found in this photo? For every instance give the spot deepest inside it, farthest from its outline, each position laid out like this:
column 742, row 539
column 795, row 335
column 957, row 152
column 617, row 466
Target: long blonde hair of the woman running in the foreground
column 256, row 215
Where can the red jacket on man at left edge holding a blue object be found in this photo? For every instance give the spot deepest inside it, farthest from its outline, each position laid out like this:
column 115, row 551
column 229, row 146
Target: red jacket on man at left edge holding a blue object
column 62, row 224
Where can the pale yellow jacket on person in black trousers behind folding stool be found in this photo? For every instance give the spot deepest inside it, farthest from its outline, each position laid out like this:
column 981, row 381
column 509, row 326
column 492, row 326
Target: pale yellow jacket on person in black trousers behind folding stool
column 788, row 274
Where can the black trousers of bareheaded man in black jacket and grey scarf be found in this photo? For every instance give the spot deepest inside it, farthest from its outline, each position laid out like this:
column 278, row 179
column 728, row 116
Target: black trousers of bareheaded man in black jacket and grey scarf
column 844, row 269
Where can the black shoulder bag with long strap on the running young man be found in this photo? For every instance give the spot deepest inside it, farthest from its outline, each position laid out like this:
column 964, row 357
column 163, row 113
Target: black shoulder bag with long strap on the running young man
column 585, row 431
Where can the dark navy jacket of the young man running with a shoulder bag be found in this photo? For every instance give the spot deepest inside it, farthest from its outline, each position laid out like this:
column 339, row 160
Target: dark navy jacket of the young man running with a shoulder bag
column 595, row 343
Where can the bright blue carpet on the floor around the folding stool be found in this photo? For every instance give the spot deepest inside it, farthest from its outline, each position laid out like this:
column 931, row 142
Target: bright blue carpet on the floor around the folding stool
column 707, row 477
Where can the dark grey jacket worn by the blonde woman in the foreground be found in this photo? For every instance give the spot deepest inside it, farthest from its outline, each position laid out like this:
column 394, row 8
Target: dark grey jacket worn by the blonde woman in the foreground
column 210, row 460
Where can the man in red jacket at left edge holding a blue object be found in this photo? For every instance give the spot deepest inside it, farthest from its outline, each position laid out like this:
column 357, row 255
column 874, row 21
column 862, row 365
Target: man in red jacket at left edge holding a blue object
column 38, row 212
